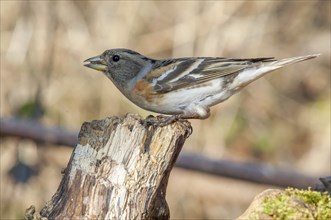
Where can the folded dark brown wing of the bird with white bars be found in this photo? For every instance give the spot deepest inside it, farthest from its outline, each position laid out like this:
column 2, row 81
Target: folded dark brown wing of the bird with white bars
column 168, row 75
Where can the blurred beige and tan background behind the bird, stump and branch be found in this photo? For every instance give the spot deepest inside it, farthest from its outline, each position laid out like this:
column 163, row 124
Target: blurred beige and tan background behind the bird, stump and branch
column 282, row 119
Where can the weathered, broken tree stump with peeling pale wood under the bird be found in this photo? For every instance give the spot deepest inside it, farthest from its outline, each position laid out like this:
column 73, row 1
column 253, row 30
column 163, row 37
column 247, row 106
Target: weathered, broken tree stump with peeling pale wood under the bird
column 118, row 170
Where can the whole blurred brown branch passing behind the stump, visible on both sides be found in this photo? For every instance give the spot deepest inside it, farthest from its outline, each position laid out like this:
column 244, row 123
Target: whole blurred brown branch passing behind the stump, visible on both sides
column 257, row 173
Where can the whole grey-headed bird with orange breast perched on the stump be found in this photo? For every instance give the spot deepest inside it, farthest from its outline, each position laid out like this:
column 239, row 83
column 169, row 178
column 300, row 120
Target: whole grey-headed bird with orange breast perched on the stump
column 183, row 87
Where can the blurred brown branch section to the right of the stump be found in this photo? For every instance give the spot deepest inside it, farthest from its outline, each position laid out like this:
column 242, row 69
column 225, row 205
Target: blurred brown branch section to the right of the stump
column 253, row 172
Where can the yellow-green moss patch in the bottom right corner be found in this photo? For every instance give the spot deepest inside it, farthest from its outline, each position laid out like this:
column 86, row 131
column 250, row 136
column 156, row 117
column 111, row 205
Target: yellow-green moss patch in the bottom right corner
column 295, row 204
